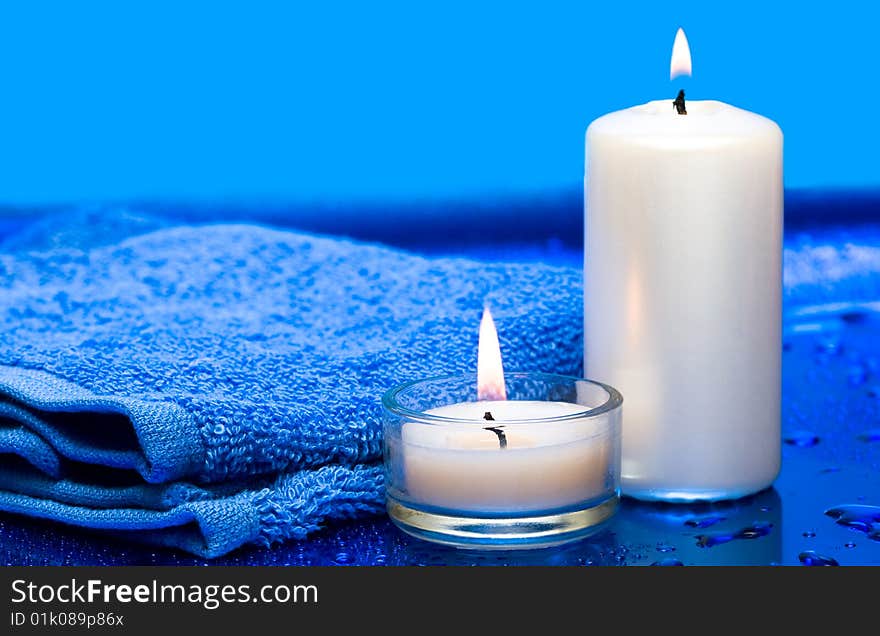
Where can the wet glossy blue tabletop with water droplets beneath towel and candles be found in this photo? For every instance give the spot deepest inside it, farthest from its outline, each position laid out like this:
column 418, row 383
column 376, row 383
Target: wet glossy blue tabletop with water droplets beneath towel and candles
column 831, row 458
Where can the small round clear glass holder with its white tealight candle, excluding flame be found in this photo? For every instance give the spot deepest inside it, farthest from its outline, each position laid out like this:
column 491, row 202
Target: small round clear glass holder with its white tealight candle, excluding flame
column 538, row 469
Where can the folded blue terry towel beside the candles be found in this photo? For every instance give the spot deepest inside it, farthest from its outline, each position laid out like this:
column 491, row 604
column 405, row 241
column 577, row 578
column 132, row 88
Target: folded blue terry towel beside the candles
column 215, row 386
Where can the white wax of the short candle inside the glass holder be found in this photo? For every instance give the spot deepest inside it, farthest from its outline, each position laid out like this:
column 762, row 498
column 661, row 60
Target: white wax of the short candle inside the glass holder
column 545, row 465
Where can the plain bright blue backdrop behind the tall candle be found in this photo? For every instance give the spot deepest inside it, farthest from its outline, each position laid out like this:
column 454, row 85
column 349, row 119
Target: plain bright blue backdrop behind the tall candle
column 402, row 101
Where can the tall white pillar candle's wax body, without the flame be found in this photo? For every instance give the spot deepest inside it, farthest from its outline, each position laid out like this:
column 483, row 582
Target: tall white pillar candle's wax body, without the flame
column 683, row 290
